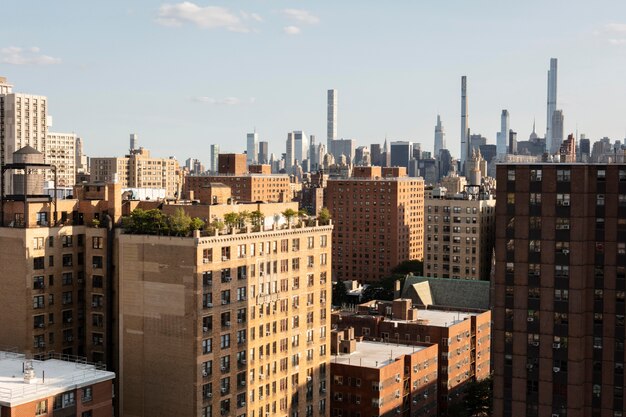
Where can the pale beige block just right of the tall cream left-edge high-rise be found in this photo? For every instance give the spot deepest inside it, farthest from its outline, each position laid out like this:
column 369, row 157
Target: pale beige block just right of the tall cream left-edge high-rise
column 61, row 152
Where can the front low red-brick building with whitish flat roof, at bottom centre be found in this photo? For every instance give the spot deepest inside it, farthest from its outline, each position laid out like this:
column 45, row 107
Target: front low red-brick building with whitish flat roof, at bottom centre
column 405, row 377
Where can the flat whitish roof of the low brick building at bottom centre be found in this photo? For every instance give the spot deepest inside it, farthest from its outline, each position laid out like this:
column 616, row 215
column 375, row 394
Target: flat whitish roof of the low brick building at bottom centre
column 375, row 354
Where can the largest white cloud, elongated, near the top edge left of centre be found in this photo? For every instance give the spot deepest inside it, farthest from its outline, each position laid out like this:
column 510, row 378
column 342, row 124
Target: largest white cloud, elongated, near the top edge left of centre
column 208, row 17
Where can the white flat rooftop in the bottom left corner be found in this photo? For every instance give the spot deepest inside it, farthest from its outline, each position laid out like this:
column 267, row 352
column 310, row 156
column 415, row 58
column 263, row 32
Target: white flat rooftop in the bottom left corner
column 60, row 376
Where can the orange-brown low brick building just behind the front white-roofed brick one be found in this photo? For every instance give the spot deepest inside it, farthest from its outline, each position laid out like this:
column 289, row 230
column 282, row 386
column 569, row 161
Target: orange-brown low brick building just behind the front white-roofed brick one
column 462, row 336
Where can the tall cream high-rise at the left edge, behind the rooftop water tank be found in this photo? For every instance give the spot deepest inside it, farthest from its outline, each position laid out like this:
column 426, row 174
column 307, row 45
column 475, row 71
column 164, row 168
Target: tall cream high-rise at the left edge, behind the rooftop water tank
column 23, row 121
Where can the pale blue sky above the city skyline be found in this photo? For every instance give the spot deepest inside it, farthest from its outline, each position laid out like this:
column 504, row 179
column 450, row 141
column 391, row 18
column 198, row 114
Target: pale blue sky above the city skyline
column 184, row 75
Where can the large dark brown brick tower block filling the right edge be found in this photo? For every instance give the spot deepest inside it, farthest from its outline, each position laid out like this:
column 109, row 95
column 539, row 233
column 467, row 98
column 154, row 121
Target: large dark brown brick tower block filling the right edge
column 559, row 290
